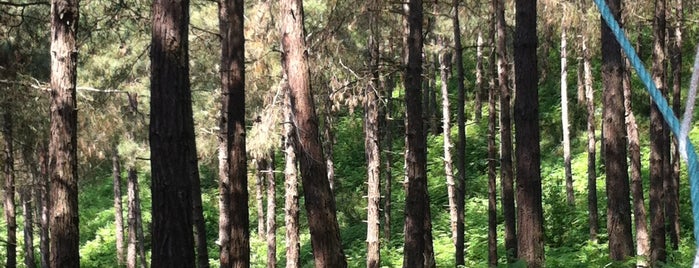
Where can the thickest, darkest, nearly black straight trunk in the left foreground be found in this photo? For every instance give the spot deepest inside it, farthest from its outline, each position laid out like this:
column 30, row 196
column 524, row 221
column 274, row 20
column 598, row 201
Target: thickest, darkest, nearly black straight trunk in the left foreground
column 171, row 136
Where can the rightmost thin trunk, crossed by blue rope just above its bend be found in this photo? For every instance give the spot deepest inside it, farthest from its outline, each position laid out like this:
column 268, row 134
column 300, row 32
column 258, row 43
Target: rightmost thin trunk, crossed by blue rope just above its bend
column 673, row 181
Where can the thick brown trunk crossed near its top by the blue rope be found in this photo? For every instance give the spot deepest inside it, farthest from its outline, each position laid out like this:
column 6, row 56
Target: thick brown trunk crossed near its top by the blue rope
column 614, row 142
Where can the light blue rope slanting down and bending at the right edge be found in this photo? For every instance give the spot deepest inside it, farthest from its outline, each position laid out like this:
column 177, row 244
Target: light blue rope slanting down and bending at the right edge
column 664, row 108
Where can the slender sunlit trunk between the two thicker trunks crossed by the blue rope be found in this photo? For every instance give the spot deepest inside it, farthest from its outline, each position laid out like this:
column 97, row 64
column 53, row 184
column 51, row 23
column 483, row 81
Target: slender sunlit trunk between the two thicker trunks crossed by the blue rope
column 639, row 208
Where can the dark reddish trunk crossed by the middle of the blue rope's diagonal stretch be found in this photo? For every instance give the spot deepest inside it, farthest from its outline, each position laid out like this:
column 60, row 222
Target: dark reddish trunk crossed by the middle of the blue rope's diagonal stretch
column 659, row 151
